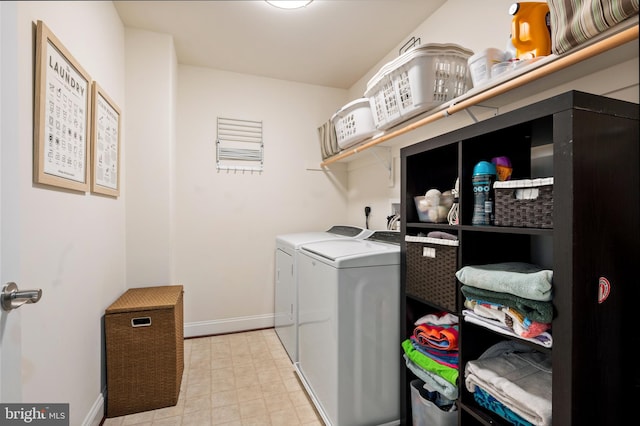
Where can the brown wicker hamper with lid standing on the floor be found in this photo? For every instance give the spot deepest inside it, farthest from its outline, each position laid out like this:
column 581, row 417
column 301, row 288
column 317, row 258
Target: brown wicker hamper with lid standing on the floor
column 144, row 339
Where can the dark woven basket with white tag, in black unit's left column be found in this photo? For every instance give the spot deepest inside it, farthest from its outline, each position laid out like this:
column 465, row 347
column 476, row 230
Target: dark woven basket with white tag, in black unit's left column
column 431, row 269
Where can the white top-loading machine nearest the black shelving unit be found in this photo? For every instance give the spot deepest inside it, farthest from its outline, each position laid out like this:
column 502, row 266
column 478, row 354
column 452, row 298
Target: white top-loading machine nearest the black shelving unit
column 349, row 328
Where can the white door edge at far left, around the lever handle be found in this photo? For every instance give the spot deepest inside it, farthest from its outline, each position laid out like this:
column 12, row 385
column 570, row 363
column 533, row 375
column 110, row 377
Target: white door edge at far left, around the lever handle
column 10, row 330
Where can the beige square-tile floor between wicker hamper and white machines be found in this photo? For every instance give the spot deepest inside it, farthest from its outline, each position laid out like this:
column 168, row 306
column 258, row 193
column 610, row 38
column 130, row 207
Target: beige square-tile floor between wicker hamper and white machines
column 235, row 380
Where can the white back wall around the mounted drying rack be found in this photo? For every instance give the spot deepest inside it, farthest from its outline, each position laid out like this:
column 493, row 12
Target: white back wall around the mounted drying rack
column 227, row 221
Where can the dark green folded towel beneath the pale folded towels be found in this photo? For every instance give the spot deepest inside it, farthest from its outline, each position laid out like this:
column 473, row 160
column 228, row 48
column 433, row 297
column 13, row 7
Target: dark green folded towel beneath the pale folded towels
column 534, row 310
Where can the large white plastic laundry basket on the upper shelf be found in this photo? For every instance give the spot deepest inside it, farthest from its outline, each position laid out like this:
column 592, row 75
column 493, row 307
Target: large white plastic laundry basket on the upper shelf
column 417, row 81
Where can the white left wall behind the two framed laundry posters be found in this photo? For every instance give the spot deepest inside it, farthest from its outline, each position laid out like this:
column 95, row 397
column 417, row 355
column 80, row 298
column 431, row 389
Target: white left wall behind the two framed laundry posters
column 72, row 245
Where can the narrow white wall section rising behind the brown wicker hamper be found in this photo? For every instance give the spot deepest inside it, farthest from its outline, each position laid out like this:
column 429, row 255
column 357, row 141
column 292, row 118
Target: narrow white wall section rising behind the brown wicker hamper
column 150, row 127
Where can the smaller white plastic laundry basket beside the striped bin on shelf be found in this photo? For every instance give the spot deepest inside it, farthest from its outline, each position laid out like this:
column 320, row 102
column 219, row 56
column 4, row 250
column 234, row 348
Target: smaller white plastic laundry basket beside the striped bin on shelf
column 353, row 123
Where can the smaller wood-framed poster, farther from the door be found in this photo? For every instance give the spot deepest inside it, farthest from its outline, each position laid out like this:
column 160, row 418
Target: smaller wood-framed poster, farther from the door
column 105, row 143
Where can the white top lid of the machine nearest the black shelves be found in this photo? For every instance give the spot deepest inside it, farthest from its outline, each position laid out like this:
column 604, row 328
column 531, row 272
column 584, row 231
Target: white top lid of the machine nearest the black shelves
column 351, row 253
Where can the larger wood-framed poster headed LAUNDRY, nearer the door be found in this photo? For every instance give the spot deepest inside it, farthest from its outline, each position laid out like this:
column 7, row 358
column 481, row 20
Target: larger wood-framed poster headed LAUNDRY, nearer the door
column 61, row 118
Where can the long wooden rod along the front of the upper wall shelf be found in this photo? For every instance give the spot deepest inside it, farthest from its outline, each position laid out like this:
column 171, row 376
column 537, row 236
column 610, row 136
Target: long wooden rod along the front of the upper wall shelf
column 616, row 37
